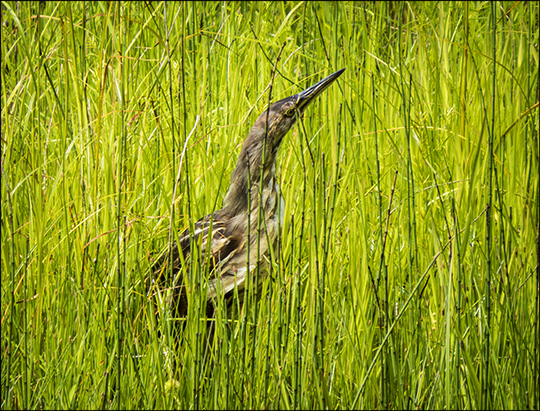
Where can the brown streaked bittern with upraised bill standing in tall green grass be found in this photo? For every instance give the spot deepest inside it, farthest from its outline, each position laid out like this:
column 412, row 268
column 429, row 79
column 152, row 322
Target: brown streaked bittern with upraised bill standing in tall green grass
column 232, row 240
